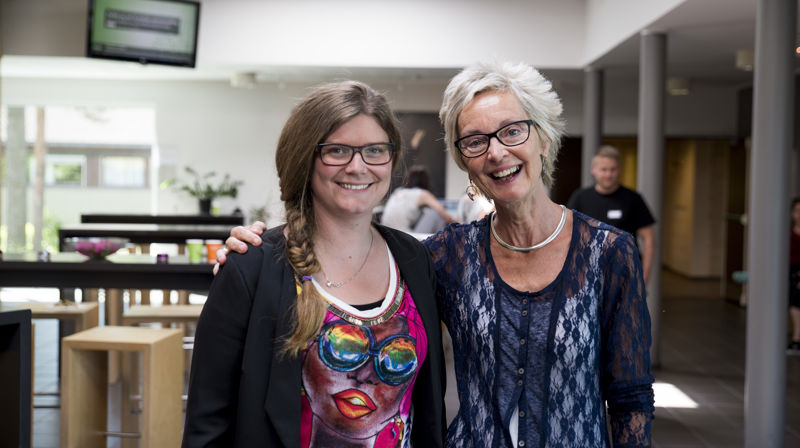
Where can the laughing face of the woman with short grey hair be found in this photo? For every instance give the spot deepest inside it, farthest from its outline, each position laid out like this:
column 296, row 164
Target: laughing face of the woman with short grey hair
column 506, row 174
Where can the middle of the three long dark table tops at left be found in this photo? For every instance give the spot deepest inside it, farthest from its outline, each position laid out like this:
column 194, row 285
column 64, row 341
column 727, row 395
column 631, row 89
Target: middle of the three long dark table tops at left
column 145, row 233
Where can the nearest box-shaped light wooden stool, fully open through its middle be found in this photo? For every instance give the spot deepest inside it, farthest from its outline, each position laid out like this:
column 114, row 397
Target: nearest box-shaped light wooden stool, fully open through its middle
column 84, row 386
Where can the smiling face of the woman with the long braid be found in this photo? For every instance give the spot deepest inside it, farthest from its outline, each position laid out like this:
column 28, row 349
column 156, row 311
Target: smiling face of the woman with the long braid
column 355, row 188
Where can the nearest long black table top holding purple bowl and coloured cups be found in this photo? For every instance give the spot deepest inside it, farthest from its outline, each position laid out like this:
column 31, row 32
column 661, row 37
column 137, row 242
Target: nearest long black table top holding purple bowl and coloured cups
column 73, row 270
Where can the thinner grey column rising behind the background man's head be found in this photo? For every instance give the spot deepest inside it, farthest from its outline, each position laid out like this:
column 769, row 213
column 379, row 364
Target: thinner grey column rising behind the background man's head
column 592, row 121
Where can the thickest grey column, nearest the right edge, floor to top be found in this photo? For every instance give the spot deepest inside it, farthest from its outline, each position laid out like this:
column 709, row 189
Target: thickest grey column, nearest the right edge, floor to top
column 768, row 224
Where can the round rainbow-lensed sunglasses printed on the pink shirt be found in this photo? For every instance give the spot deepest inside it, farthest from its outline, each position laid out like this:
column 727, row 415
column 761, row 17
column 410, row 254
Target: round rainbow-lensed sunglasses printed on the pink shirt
column 344, row 347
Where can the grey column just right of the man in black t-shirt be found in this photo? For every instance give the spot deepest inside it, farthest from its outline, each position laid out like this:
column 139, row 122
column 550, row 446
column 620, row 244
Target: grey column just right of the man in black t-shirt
column 650, row 161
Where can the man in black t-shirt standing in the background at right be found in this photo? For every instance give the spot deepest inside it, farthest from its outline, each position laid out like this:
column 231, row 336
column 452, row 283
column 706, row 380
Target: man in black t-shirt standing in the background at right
column 614, row 204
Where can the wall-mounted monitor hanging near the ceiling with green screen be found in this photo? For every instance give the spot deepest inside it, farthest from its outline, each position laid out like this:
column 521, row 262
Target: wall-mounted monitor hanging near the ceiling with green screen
column 146, row 31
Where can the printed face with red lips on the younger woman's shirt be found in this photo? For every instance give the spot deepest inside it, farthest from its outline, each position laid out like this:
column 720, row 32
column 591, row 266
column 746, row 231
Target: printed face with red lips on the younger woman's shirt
column 353, row 403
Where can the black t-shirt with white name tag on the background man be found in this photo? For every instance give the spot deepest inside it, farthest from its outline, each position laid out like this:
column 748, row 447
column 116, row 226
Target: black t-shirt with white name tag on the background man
column 624, row 208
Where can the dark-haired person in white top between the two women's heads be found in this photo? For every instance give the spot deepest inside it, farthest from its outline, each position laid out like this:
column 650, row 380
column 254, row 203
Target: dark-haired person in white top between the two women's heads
column 412, row 208
